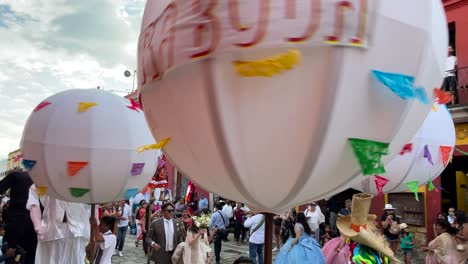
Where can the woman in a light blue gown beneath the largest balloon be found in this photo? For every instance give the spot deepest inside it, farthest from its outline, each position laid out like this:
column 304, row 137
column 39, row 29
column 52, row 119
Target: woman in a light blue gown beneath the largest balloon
column 303, row 248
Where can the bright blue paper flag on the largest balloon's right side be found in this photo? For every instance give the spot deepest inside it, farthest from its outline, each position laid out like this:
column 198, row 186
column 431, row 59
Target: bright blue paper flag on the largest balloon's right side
column 400, row 84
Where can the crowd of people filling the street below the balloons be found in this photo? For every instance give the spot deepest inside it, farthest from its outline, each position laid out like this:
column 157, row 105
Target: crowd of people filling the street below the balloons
column 35, row 227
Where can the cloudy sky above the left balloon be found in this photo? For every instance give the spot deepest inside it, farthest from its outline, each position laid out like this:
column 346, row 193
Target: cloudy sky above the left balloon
column 47, row 46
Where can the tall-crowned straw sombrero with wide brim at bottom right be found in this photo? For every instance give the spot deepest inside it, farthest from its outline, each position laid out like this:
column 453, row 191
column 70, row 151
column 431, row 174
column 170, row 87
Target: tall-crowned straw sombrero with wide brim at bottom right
column 360, row 226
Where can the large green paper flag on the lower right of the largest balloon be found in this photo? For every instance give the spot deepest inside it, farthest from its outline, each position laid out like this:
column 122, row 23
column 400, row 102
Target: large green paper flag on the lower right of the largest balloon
column 369, row 154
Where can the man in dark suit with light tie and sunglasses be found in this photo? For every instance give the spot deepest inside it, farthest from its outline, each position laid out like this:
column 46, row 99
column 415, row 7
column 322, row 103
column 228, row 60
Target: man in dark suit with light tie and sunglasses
column 164, row 235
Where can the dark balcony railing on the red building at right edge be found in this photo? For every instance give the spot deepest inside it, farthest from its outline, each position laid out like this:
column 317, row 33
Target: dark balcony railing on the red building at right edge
column 459, row 87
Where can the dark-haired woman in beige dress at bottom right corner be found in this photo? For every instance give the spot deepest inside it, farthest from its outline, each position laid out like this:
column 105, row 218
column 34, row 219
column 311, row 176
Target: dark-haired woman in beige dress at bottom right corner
column 443, row 249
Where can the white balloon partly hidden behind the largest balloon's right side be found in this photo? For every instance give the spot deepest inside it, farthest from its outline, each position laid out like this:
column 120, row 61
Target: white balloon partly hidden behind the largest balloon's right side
column 420, row 161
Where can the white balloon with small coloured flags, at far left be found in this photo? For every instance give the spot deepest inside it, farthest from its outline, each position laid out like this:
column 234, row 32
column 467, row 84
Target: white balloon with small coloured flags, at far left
column 81, row 146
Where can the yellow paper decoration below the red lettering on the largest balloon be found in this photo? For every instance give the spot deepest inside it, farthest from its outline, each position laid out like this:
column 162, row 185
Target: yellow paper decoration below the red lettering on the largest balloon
column 268, row 67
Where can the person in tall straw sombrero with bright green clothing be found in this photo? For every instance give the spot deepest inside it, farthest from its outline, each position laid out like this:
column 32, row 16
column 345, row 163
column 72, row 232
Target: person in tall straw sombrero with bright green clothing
column 360, row 227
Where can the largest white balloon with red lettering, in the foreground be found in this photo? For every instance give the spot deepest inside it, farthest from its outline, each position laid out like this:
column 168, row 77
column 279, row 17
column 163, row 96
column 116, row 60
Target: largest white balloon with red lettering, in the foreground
column 260, row 97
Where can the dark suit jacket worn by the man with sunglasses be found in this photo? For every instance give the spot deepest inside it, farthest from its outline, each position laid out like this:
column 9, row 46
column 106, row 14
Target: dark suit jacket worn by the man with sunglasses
column 157, row 235
